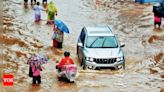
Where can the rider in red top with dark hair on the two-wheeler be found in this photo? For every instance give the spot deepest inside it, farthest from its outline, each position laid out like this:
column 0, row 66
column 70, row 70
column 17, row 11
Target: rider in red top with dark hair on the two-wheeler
column 65, row 61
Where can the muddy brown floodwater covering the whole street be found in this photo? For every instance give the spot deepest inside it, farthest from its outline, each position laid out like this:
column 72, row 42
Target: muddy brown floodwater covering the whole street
column 132, row 23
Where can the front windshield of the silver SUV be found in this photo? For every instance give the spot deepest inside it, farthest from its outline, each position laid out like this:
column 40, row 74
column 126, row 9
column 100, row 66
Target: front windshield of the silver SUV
column 101, row 42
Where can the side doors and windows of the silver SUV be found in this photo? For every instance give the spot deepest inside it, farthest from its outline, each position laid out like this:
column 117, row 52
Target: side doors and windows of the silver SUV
column 80, row 48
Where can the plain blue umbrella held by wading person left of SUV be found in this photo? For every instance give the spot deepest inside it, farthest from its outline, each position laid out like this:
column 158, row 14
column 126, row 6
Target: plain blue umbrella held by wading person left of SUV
column 61, row 26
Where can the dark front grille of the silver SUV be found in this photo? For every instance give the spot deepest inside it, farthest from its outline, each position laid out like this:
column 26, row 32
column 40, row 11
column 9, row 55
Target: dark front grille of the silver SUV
column 105, row 61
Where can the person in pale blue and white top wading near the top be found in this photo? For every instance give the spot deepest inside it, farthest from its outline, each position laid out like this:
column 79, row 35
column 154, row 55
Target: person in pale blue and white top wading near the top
column 37, row 8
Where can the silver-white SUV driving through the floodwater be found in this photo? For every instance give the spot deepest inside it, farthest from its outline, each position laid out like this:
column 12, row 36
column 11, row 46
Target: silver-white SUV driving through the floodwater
column 97, row 47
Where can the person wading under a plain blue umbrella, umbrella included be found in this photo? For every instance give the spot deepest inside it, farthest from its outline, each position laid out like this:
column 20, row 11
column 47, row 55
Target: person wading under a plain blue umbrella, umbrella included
column 59, row 28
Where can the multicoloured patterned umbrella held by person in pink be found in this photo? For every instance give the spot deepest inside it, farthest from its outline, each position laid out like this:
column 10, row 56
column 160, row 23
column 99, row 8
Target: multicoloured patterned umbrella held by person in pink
column 37, row 60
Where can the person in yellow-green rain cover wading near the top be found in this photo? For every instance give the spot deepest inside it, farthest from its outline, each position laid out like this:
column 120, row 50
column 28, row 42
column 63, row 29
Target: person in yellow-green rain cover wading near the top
column 52, row 11
